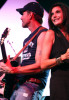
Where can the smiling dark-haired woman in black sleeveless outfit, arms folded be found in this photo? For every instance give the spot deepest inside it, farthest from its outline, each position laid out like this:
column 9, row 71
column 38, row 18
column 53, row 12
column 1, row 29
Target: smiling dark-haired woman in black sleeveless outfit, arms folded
column 55, row 54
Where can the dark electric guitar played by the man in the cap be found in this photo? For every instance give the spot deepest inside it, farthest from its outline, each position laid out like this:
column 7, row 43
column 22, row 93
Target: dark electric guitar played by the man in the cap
column 8, row 79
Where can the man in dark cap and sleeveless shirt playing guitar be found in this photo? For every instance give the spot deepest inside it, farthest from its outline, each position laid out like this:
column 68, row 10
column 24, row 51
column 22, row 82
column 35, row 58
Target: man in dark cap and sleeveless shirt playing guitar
column 30, row 80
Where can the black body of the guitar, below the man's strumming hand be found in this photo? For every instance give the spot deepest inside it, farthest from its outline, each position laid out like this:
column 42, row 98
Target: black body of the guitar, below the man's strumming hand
column 9, row 85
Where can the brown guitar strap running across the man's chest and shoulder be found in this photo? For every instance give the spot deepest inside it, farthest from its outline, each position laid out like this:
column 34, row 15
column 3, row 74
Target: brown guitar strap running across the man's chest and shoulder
column 14, row 58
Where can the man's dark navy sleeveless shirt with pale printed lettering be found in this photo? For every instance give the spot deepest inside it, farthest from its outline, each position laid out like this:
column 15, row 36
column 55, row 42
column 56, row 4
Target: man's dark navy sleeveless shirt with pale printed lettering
column 29, row 58
